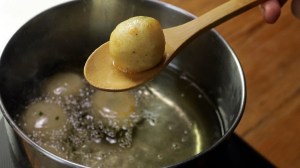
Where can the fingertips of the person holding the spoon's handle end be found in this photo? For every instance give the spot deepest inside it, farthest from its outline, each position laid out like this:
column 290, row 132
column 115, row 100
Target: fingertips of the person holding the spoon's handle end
column 271, row 9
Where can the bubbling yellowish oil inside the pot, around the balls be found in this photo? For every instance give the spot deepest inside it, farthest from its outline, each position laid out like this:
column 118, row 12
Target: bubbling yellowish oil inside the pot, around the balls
column 172, row 121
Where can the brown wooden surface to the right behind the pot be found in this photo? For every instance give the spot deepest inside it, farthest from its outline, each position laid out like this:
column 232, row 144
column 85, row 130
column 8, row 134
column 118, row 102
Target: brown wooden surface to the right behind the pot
column 270, row 57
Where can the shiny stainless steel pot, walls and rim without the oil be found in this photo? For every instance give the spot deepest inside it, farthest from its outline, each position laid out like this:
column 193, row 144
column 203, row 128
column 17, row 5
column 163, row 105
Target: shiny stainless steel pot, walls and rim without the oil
column 68, row 33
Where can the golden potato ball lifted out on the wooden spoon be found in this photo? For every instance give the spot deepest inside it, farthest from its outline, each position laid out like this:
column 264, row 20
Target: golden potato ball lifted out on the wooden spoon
column 137, row 44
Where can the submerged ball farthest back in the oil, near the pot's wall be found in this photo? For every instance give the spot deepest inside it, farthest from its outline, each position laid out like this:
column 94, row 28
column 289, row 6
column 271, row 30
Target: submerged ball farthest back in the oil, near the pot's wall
column 63, row 84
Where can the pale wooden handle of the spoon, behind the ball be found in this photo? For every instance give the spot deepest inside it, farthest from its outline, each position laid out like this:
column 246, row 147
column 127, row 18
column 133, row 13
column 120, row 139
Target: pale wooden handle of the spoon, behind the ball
column 177, row 37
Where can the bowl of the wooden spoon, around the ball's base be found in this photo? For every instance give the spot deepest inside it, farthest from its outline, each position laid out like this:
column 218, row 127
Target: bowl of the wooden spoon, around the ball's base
column 102, row 74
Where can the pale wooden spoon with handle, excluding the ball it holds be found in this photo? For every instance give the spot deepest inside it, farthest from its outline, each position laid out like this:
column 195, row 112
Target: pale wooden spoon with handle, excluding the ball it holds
column 102, row 74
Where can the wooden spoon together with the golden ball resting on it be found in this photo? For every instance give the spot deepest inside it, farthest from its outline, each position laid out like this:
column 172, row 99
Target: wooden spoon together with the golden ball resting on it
column 139, row 49
